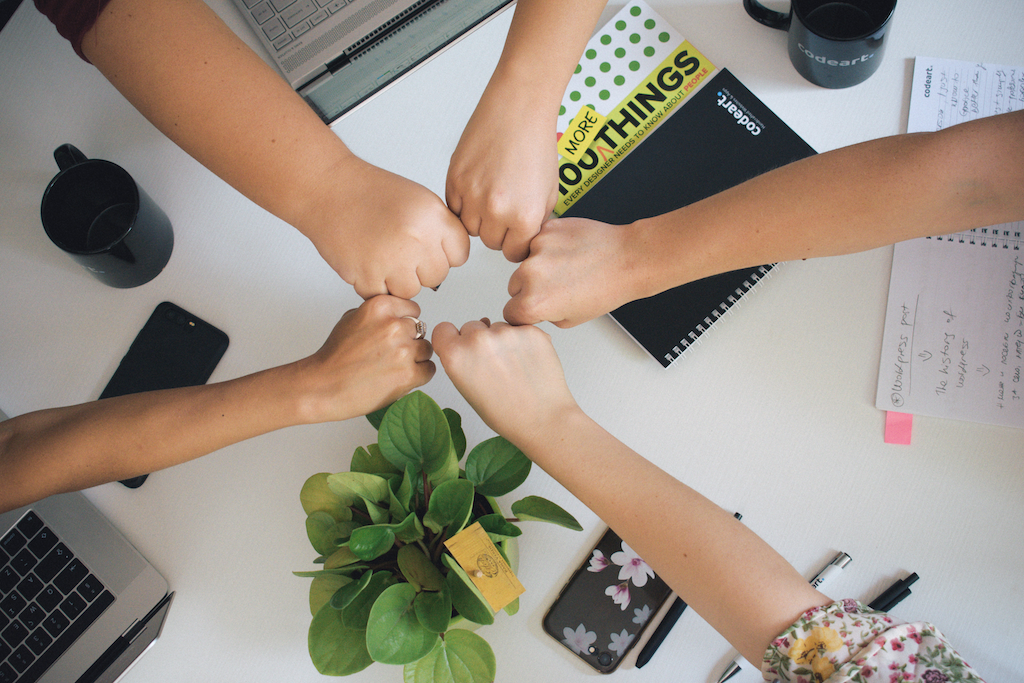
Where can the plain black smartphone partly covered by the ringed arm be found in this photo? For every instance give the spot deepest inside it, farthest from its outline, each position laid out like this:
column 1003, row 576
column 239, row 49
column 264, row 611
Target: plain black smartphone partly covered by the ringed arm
column 174, row 350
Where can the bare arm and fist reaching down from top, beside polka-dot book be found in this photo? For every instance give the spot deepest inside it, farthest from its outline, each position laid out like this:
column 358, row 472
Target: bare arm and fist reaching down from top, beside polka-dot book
column 503, row 179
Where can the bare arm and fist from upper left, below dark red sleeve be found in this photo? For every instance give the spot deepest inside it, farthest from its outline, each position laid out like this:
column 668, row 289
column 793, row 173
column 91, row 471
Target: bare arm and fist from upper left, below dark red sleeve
column 185, row 70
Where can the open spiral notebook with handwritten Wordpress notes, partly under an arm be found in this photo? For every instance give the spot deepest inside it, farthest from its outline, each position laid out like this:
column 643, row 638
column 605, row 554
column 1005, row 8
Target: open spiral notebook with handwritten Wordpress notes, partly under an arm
column 954, row 343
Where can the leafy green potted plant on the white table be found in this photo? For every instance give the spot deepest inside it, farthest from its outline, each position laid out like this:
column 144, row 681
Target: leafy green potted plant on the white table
column 389, row 590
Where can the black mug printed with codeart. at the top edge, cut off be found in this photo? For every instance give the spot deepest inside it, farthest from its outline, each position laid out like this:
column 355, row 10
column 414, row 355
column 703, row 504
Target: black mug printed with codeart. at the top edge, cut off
column 832, row 45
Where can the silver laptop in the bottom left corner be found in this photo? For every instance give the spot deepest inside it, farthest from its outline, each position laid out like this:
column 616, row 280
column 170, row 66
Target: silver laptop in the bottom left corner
column 77, row 602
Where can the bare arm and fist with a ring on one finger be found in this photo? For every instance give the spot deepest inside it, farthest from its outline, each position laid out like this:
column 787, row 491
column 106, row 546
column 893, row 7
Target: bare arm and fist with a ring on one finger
column 370, row 361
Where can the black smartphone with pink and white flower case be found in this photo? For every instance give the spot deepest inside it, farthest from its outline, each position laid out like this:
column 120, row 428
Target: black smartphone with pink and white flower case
column 604, row 610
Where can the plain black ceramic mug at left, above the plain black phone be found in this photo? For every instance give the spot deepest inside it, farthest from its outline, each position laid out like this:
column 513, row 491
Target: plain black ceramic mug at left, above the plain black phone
column 100, row 217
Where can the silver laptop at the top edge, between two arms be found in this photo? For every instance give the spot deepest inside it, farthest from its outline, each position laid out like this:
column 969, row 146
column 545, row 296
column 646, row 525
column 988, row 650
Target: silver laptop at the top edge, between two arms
column 339, row 54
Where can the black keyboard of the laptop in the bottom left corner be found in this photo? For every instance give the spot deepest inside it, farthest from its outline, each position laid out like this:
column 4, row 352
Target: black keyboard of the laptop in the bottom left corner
column 48, row 600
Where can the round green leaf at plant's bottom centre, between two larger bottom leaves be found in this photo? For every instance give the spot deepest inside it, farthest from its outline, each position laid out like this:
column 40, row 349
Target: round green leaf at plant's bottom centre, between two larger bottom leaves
column 395, row 635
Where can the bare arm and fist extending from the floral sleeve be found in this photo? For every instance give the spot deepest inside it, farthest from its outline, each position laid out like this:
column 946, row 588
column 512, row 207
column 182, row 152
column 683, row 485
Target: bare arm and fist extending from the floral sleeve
column 513, row 378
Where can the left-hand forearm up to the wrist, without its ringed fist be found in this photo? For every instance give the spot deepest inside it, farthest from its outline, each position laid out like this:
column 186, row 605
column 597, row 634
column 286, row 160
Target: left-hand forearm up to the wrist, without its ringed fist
column 69, row 449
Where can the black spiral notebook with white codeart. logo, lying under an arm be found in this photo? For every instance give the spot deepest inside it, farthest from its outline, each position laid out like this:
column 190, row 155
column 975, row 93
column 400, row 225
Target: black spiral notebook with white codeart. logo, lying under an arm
column 718, row 138
